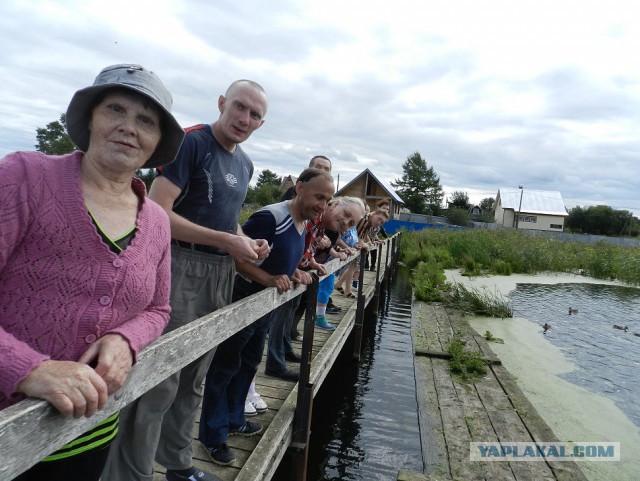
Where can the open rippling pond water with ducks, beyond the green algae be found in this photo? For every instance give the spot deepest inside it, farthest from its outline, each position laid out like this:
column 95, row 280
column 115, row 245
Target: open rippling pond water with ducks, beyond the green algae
column 606, row 359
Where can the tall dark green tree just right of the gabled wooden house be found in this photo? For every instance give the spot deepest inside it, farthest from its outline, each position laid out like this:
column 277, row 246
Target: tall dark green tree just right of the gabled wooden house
column 419, row 186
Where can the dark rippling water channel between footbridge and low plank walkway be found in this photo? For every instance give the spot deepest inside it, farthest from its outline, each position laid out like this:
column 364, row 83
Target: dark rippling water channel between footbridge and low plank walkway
column 365, row 424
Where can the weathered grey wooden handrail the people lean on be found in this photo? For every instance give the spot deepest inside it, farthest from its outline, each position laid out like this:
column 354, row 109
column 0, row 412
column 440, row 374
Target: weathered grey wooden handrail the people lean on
column 32, row 429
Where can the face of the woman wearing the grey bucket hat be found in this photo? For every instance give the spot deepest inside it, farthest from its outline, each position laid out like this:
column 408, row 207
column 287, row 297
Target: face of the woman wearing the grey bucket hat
column 125, row 131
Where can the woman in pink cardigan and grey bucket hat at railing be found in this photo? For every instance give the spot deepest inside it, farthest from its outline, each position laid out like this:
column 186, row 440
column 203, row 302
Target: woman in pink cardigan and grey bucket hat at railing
column 85, row 259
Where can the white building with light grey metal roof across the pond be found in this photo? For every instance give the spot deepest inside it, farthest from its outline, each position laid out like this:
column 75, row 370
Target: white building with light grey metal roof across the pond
column 530, row 209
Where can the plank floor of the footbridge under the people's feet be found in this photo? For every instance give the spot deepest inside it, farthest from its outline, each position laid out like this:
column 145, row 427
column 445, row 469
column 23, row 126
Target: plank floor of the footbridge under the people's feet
column 258, row 457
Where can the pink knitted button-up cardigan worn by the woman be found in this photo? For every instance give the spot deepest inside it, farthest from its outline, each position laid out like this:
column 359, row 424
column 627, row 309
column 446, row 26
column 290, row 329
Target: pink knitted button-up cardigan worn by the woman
column 61, row 288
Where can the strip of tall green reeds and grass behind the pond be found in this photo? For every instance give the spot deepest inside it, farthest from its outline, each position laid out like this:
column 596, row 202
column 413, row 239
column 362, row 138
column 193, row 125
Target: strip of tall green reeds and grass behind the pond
column 503, row 252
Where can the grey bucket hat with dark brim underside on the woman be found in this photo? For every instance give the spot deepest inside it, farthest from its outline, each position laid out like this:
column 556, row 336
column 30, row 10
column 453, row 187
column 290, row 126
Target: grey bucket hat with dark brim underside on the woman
column 140, row 80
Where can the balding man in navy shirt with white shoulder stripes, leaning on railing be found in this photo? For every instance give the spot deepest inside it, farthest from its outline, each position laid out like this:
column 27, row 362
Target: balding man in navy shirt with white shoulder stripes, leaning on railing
column 236, row 360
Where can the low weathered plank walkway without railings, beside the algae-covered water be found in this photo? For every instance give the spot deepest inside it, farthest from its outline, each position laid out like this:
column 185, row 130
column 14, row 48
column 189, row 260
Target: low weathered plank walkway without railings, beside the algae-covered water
column 452, row 414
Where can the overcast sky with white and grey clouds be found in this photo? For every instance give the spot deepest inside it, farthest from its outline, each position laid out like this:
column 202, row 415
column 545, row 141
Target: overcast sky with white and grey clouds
column 544, row 94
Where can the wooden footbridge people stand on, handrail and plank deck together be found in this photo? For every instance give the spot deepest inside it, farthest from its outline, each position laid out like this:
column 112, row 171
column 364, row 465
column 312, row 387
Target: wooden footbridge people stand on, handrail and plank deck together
column 32, row 429
